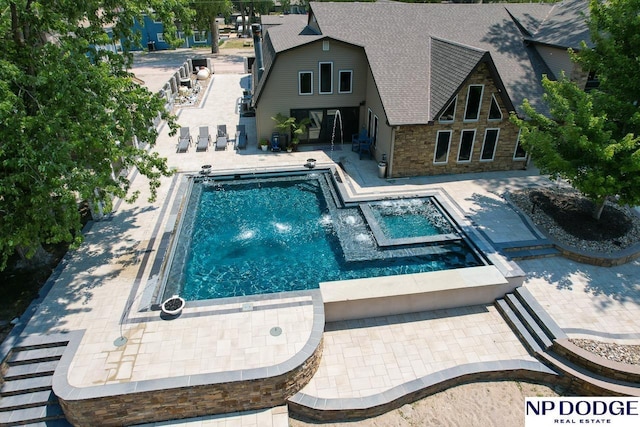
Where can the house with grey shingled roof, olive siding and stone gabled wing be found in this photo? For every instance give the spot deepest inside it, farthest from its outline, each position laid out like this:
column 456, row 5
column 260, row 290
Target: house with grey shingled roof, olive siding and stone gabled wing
column 433, row 85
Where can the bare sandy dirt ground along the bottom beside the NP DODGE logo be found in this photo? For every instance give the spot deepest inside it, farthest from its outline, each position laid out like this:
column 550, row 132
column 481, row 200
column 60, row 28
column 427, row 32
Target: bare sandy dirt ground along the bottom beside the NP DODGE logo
column 484, row 404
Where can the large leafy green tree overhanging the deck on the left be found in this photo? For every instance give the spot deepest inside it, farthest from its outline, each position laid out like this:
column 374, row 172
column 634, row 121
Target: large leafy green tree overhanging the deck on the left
column 70, row 114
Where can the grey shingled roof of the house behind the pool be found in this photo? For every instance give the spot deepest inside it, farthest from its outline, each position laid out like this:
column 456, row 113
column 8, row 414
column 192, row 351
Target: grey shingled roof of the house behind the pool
column 420, row 54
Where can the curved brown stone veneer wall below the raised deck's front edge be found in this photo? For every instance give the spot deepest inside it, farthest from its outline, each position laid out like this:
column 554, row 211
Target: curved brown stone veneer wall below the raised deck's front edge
column 185, row 402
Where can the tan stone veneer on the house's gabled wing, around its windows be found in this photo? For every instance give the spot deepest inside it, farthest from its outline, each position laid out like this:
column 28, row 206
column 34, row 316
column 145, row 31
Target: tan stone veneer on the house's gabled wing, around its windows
column 414, row 145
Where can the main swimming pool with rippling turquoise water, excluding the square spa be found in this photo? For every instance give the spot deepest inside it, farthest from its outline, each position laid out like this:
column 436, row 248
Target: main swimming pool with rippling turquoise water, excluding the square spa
column 263, row 235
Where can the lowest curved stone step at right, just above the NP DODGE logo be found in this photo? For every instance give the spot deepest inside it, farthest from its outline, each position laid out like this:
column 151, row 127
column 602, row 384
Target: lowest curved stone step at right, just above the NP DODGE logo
column 600, row 386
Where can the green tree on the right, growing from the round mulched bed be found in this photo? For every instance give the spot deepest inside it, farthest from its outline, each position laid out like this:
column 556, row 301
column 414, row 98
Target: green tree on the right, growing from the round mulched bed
column 591, row 139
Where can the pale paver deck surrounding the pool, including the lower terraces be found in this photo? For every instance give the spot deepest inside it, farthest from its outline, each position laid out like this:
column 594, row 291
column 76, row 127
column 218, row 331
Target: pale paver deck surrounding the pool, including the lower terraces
column 100, row 288
